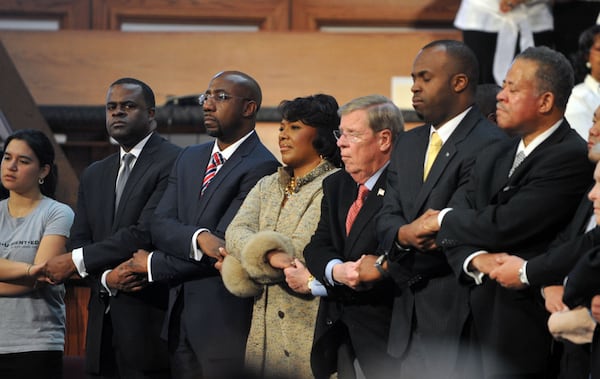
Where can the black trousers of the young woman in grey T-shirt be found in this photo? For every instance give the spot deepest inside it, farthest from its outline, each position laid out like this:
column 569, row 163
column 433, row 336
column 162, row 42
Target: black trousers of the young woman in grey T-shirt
column 32, row 365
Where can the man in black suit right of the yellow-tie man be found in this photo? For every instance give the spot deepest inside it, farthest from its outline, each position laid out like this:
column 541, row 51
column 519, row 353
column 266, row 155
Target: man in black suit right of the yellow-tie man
column 520, row 194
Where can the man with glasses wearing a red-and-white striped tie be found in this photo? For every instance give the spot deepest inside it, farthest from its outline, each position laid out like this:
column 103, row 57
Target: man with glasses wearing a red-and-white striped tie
column 207, row 326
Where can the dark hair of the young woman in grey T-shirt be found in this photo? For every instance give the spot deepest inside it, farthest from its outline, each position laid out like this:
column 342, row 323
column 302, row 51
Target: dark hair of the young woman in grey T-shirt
column 41, row 146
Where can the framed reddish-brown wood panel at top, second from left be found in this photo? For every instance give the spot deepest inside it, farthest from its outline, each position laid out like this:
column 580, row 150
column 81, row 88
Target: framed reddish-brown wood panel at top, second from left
column 266, row 14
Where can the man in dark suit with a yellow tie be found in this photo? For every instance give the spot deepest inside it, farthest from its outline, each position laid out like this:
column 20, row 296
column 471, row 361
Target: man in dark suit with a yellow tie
column 430, row 308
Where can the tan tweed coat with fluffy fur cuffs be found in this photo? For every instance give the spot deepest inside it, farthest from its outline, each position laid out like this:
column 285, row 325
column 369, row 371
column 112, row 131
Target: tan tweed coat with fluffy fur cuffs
column 283, row 321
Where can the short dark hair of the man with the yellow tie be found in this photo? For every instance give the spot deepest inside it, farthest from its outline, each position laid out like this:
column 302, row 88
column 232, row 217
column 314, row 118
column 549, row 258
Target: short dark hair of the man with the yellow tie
column 464, row 59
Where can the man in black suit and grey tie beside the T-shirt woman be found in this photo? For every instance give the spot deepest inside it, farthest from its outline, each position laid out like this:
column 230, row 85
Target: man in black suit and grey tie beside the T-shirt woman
column 123, row 331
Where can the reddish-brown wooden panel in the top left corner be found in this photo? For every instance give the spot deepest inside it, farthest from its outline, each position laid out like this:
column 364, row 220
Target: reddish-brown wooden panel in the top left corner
column 72, row 14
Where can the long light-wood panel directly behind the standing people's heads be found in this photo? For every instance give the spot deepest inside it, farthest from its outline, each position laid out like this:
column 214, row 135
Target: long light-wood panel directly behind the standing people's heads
column 75, row 68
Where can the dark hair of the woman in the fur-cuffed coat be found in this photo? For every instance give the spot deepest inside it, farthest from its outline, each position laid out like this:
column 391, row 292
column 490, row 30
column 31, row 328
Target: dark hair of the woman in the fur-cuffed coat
column 319, row 111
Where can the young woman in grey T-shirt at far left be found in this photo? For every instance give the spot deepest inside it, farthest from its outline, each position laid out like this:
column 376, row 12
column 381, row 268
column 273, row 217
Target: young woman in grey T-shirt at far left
column 33, row 228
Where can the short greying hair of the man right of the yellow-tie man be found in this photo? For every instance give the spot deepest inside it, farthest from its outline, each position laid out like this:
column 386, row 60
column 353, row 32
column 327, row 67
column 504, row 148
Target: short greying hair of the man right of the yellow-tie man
column 554, row 73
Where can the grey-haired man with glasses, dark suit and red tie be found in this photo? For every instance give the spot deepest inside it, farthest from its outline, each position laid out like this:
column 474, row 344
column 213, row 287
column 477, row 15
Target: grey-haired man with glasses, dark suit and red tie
column 353, row 320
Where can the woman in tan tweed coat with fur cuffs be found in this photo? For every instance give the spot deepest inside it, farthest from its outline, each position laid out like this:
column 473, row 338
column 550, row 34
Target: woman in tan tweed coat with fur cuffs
column 265, row 241
